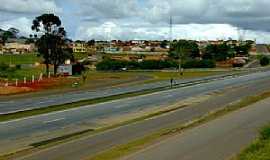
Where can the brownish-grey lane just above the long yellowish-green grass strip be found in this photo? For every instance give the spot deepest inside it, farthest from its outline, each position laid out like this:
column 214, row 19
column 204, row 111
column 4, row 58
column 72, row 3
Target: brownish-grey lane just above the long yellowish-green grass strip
column 88, row 146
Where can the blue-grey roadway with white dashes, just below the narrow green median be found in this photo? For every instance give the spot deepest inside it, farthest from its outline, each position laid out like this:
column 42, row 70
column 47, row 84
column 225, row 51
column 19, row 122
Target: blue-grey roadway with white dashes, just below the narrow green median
column 88, row 115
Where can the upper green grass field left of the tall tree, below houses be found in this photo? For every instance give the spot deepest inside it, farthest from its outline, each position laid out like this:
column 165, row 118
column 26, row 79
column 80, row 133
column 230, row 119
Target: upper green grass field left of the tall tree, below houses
column 19, row 59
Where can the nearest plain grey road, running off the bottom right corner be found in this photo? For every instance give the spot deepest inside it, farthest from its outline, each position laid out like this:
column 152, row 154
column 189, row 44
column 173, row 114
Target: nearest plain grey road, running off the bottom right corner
column 216, row 140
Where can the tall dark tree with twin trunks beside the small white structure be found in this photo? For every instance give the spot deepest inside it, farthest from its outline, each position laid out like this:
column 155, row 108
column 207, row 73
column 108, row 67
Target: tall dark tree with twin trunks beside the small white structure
column 51, row 45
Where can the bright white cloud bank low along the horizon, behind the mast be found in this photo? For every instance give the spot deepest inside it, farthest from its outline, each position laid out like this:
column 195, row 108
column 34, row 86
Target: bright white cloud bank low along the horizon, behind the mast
column 182, row 31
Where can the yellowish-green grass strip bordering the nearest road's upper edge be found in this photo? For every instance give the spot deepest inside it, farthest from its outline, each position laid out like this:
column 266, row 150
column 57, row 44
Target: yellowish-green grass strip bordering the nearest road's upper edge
column 125, row 149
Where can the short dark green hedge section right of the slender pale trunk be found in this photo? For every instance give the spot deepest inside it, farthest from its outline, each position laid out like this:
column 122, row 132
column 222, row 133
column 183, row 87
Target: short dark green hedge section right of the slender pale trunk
column 199, row 64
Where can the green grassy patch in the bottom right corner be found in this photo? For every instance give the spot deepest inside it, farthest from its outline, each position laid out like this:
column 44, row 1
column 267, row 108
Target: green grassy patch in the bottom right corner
column 258, row 150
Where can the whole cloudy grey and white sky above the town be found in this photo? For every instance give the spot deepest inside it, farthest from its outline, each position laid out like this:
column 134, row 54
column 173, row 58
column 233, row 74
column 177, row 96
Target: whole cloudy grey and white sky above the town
column 146, row 19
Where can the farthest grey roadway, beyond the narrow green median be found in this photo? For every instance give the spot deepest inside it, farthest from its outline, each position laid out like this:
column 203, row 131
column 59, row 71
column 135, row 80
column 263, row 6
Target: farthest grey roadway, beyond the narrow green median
column 16, row 105
